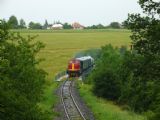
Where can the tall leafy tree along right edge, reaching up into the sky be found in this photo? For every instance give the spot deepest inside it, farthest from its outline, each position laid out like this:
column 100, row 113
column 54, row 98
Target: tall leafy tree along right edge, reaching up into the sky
column 146, row 41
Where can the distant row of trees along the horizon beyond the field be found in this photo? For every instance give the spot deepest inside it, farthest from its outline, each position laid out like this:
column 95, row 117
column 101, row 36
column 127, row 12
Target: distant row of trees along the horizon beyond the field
column 21, row 24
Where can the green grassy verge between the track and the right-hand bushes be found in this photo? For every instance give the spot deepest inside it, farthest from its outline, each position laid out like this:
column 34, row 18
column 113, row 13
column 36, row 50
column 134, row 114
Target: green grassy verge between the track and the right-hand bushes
column 103, row 109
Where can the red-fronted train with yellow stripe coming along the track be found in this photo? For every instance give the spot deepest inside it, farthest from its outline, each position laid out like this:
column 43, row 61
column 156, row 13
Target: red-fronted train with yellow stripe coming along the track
column 78, row 66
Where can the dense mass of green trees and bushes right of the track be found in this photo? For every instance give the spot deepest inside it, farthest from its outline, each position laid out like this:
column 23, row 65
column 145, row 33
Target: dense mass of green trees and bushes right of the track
column 132, row 77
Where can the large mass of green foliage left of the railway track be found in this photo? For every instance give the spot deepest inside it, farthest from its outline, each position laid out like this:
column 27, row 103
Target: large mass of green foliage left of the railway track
column 21, row 82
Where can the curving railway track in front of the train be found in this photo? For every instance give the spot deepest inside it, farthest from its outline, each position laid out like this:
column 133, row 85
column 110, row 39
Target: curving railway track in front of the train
column 72, row 111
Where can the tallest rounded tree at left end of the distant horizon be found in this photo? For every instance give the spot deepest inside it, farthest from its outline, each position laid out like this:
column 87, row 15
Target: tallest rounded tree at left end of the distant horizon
column 13, row 22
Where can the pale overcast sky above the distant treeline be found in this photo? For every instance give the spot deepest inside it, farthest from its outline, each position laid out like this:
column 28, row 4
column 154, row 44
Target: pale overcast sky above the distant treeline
column 87, row 12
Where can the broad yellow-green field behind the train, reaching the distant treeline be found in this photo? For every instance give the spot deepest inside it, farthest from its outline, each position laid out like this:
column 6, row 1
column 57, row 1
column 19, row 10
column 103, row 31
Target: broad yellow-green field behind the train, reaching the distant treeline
column 60, row 46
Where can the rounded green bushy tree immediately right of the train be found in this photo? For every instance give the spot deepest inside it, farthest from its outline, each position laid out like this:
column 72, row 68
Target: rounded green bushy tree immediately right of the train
column 105, row 76
